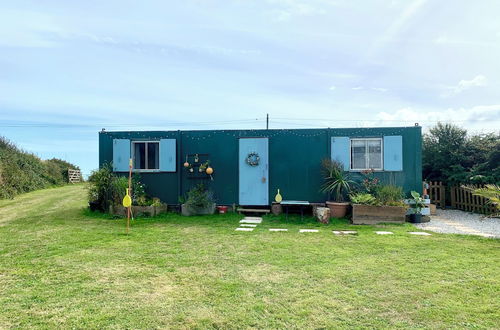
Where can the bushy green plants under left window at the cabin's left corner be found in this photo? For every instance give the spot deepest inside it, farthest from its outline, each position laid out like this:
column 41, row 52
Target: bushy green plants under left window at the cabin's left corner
column 107, row 188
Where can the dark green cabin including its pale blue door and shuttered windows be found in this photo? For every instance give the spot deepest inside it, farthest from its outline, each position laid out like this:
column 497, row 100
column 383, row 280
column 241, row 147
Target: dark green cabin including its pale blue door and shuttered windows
column 250, row 165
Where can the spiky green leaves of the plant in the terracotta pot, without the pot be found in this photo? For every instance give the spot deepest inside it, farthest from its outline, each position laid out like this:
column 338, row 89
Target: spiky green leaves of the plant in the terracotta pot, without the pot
column 336, row 181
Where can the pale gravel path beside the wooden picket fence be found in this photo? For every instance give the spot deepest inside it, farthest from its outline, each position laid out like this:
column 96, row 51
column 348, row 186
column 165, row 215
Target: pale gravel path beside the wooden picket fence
column 460, row 222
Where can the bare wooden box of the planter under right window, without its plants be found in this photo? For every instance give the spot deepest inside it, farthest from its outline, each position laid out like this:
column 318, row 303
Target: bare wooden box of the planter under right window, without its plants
column 371, row 215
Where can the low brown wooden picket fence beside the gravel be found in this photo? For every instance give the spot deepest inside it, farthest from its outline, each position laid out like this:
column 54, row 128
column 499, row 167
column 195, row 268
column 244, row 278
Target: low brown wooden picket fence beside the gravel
column 459, row 198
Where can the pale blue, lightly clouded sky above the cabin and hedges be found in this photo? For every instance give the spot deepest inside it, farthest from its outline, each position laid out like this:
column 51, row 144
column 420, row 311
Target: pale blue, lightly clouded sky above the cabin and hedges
column 70, row 68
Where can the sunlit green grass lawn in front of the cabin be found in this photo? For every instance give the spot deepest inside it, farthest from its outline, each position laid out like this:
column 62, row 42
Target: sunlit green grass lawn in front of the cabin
column 64, row 267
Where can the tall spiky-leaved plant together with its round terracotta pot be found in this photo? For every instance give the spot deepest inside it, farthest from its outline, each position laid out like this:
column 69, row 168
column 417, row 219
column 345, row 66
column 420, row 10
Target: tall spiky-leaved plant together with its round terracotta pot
column 337, row 183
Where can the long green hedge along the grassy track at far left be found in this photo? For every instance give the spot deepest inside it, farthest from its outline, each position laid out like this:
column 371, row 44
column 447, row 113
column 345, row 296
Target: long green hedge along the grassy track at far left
column 21, row 171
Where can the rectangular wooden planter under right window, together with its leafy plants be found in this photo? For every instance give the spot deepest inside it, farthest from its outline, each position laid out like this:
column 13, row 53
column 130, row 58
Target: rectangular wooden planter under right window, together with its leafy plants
column 384, row 205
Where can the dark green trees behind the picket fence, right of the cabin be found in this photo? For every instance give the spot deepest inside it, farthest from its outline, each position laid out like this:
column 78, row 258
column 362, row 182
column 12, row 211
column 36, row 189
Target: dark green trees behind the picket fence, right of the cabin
column 451, row 156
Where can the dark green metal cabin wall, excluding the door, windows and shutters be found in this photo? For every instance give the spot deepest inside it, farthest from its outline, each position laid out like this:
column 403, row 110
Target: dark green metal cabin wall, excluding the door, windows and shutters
column 294, row 160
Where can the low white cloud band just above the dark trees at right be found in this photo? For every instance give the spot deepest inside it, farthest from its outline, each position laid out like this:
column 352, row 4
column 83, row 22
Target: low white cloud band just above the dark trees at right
column 480, row 117
